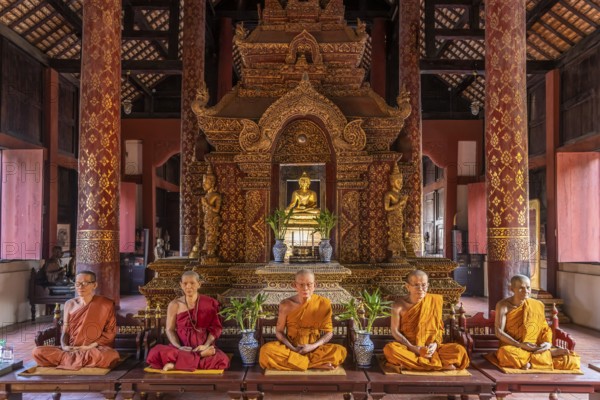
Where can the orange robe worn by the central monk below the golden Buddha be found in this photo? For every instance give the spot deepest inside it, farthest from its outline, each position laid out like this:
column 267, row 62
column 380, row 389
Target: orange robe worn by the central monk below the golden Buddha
column 305, row 325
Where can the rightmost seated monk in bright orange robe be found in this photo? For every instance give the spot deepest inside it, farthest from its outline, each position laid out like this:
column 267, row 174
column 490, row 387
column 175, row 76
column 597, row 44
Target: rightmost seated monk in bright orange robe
column 525, row 337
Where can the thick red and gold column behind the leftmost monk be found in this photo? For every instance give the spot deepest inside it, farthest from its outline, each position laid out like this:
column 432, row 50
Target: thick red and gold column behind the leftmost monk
column 99, row 144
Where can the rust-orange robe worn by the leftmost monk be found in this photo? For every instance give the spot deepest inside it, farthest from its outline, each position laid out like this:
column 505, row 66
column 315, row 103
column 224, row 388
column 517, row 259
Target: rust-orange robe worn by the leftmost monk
column 95, row 322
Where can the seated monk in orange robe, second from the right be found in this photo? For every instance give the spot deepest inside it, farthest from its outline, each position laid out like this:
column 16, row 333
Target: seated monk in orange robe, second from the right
column 418, row 327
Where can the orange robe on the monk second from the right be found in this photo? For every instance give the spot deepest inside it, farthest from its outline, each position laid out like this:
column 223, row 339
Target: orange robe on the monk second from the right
column 422, row 325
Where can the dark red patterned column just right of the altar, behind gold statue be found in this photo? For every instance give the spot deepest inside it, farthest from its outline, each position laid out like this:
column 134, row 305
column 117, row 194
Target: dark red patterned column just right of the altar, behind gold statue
column 409, row 76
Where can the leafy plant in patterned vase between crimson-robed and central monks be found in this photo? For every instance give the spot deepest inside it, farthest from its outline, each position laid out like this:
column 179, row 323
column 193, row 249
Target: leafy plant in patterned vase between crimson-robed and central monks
column 246, row 313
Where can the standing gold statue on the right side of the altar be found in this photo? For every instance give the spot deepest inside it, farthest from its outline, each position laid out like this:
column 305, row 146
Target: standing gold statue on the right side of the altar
column 394, row 203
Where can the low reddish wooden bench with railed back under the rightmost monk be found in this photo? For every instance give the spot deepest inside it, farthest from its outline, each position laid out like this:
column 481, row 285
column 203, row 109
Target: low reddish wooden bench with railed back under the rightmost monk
column 480, row 338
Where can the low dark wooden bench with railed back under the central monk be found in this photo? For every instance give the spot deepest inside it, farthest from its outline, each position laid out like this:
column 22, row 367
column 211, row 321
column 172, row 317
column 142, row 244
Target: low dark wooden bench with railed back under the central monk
column 353, row 384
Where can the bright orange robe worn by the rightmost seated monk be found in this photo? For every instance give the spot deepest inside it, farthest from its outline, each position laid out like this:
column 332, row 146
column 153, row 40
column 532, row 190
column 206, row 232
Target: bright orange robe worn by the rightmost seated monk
column 527, row 323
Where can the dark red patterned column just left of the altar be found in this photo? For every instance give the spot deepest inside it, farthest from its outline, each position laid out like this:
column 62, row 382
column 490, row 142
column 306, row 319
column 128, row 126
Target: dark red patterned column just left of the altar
column 192, row 79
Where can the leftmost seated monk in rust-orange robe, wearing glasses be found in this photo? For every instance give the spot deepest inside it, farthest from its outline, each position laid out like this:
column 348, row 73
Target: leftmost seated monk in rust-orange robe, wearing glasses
column 88, row 332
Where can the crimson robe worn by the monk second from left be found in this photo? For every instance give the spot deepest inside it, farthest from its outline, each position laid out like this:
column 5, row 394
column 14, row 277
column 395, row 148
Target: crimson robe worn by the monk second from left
column 207, row 322
